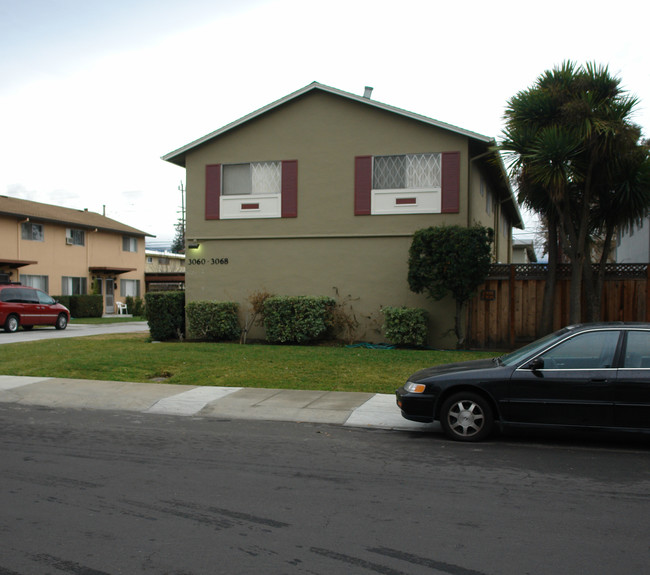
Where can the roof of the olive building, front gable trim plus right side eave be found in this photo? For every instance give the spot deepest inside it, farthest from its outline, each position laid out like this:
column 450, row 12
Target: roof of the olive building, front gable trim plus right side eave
column 490, row 159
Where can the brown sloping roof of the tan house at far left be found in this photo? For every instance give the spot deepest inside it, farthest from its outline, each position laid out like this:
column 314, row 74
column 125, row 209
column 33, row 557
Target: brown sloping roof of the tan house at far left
column 66, row 216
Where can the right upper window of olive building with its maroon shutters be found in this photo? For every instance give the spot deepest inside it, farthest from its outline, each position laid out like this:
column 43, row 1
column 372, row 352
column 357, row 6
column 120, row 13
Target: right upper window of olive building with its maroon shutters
column 426, row 183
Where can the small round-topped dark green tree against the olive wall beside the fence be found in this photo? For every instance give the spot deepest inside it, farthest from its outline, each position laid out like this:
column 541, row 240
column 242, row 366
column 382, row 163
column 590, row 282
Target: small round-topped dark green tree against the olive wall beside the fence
column 450, row 259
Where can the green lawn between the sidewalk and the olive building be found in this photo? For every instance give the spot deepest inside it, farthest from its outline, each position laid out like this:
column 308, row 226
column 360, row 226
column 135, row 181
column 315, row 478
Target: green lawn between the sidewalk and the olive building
column 134, row 358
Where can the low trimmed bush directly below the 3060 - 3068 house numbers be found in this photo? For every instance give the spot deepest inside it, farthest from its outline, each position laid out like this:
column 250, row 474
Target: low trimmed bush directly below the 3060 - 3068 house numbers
column 213, row 320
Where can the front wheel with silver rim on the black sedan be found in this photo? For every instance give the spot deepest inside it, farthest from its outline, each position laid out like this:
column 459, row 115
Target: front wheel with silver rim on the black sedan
column 466, row 417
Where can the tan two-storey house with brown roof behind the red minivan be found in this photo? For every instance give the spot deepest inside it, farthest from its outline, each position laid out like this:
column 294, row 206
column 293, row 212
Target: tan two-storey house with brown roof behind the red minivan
column 65, row 251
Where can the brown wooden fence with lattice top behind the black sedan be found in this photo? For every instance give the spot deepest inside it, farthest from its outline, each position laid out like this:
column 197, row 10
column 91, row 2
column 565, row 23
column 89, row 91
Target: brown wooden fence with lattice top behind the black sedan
column 506, row 311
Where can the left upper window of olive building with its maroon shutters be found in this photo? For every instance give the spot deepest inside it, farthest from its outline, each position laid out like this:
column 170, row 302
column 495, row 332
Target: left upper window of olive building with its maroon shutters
column 252, row 190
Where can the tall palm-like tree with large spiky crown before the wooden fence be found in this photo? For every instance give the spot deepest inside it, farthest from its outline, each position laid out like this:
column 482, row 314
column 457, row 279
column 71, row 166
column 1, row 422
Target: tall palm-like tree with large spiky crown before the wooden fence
column 565, row 136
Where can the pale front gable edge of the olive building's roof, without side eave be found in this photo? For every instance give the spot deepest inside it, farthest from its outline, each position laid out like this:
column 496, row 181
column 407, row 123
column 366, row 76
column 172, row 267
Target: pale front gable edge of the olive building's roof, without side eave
column 178, row 156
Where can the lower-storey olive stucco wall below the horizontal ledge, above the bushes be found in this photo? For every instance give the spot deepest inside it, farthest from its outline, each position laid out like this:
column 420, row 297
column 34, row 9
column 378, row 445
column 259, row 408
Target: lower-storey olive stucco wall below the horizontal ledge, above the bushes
column 365, row 274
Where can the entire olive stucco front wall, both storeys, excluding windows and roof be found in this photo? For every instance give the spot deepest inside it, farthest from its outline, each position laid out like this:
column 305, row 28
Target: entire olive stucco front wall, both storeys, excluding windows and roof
column 326, row 246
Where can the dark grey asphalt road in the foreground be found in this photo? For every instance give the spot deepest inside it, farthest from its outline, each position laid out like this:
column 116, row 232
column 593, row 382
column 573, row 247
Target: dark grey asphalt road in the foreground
column 99, row 492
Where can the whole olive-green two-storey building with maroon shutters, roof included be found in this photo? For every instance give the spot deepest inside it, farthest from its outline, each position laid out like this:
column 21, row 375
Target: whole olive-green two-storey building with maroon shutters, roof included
column 320, row 192
